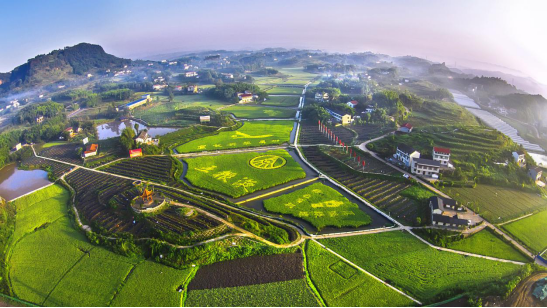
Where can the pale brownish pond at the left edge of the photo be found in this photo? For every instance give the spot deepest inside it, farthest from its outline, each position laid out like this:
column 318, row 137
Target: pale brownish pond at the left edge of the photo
column 15, row 183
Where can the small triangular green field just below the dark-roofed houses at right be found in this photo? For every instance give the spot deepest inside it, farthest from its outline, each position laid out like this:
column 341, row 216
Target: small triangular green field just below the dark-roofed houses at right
column 486, row 243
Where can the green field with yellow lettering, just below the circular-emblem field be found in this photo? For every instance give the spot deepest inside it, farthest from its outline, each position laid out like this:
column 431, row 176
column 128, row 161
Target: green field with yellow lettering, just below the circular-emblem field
column 320, row 205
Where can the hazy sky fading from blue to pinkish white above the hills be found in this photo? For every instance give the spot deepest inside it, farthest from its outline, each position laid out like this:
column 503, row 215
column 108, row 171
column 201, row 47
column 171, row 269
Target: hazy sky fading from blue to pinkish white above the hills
column 473, row 33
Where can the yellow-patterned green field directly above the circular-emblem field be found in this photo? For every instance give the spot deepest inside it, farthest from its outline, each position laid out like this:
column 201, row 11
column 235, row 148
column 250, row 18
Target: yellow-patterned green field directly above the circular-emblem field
column 251, row 134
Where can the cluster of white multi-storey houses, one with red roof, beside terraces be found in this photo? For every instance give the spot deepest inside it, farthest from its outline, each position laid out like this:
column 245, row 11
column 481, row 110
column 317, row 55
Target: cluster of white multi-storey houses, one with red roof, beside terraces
column 410, row 158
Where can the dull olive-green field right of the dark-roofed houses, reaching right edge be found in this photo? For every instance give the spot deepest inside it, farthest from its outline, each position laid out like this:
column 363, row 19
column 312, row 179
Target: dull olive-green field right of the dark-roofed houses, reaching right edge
column 498, row 204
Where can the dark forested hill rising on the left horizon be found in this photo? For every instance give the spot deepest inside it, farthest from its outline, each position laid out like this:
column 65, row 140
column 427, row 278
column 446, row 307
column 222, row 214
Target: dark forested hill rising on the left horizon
column 59, row 65
